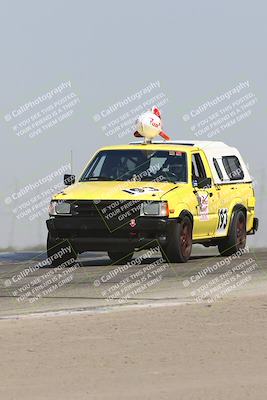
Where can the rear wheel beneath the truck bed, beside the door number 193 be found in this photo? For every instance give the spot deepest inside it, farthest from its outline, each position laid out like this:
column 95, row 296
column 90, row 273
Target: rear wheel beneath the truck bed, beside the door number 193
column 236, row 239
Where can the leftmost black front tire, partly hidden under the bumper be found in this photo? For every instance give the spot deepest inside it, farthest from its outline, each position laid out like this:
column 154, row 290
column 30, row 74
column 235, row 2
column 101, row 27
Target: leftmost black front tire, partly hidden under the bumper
column 55, row 247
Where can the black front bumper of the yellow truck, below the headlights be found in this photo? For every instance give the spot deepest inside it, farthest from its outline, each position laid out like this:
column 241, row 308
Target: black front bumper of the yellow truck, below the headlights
column 90, row 233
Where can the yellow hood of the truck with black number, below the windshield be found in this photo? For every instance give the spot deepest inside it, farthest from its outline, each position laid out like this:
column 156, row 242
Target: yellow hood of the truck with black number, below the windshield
column 115, row 190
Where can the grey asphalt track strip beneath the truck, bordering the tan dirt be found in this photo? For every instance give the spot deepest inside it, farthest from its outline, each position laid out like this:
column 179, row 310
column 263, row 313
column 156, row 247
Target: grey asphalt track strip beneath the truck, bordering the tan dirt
column 94, row 285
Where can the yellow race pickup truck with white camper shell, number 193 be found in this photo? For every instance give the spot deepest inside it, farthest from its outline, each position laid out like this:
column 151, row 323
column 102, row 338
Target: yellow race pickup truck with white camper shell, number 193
column 176, row 193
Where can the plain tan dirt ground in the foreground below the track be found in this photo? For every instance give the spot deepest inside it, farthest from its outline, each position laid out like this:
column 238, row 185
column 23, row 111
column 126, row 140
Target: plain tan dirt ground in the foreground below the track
column 180, row 352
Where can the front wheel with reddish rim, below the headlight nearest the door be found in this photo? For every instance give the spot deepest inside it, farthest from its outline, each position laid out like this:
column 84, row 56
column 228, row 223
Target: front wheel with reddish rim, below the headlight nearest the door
column 179, row 247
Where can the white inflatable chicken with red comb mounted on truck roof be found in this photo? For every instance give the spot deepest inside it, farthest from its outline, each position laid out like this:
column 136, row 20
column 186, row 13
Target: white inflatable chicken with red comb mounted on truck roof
column 149, row 125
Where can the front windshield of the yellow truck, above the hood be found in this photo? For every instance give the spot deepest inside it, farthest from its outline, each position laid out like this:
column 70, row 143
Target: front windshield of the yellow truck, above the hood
column 137, row 165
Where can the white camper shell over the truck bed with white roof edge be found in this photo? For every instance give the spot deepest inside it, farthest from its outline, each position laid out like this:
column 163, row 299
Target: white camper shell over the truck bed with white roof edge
column 213, row 150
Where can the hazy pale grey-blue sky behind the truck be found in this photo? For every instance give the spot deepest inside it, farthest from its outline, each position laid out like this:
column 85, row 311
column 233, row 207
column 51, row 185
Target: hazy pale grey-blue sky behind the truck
column 110, row 50
